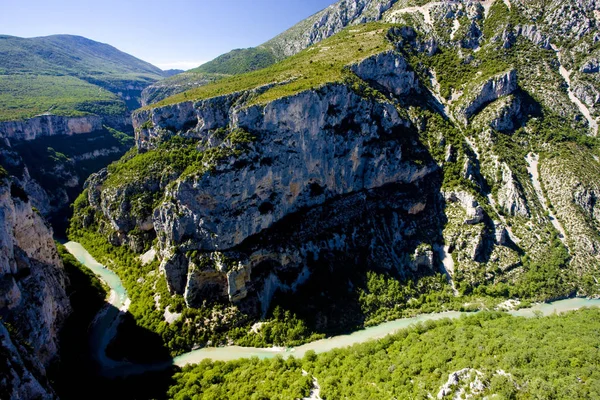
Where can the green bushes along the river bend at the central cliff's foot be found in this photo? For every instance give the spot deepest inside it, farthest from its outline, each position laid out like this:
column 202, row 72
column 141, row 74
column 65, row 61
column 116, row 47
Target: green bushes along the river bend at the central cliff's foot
column 227, row 323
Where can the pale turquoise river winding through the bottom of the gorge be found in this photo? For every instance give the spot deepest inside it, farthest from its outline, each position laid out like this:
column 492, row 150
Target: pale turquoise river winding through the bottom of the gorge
column 104, row 328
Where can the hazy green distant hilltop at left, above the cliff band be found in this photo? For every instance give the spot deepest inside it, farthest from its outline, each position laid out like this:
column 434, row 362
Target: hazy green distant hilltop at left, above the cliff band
column 68, row 68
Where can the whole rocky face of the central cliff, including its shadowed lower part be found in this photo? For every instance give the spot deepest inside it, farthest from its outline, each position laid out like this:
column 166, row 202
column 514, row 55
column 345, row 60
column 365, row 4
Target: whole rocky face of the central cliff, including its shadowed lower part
column 262, row 220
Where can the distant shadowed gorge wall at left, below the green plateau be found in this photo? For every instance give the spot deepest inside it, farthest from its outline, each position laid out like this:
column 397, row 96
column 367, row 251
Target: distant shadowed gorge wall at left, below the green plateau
column 51, row 156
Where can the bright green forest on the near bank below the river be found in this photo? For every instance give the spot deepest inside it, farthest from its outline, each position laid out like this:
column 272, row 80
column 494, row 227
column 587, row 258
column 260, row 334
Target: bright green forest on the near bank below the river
column 553, row 357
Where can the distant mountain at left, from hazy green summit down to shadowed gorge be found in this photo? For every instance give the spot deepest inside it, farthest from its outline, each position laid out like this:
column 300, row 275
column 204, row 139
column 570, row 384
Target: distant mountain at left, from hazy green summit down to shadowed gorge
column 65, row 106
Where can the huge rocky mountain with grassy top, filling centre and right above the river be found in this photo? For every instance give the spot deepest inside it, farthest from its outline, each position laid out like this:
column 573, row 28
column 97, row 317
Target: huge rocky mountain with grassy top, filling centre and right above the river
column 444, row 157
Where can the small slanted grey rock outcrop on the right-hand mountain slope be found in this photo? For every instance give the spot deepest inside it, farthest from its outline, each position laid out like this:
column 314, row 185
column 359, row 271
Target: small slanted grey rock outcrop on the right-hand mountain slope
column 491, row 90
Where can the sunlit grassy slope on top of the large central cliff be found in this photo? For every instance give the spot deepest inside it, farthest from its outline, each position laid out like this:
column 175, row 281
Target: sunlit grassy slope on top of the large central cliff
column 322, row 63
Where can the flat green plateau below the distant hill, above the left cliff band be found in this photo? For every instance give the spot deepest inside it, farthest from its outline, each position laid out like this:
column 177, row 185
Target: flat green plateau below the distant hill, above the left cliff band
column 25, row 96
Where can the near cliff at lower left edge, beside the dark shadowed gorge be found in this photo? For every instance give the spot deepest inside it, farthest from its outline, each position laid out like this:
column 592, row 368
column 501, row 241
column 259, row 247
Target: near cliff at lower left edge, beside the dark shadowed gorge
column 33, row 302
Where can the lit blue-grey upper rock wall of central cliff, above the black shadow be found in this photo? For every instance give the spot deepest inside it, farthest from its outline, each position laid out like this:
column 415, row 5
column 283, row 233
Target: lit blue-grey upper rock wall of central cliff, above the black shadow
column 307, row 152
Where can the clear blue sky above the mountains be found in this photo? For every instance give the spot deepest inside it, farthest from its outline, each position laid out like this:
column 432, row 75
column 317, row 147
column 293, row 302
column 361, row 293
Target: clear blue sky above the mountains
column 171, row 34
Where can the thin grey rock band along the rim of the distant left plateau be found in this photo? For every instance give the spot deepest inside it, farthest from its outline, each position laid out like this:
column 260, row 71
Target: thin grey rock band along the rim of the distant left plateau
column 52, row 125
